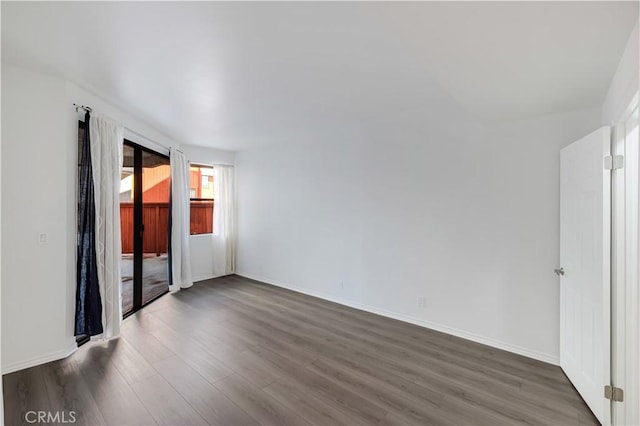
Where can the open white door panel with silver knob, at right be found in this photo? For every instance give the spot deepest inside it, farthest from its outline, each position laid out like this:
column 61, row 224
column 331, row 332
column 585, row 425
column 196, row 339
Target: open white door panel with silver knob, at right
column 585, row 256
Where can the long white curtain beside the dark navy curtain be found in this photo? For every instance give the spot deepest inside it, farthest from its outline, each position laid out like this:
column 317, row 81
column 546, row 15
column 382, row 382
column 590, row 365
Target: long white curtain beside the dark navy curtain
column 106, row 161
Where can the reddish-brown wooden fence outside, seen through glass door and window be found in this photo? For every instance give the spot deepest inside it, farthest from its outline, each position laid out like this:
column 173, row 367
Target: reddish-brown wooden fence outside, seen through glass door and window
column 155, row 217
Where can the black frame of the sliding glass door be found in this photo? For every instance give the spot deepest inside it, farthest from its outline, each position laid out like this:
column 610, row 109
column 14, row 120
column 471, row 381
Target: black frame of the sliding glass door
column 138, row 230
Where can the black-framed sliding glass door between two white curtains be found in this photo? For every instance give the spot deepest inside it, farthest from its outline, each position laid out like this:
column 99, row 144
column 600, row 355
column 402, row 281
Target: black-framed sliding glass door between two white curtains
column 144, row 218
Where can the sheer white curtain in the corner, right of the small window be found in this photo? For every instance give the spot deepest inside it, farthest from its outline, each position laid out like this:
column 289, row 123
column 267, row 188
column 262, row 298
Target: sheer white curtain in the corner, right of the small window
column 224, row 221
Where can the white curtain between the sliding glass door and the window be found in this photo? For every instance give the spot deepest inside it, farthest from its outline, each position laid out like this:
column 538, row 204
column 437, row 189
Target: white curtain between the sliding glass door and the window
column 180, row 226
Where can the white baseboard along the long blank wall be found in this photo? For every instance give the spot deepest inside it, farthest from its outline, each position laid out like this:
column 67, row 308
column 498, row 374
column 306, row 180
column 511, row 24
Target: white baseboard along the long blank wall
column 530, row 353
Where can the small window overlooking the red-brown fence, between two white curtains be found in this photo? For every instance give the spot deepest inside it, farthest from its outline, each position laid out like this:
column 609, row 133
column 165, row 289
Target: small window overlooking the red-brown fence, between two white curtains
column 201, row 193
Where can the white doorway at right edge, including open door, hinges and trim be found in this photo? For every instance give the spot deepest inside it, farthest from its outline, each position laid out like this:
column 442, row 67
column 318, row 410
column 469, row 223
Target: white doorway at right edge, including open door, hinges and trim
column 599, row 274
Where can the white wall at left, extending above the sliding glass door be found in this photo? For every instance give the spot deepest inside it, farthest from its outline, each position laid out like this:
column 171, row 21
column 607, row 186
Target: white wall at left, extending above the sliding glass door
column 39, row 140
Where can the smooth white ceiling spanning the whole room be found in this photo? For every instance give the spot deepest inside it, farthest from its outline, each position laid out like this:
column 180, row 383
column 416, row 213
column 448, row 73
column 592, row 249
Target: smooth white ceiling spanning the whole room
column 230, row 75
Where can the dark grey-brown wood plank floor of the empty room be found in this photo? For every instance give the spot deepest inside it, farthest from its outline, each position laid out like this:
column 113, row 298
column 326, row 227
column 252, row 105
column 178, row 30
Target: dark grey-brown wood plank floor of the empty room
column 233, row 351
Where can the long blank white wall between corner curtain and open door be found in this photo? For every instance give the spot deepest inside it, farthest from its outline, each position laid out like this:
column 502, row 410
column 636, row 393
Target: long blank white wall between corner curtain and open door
column 432, row 203
